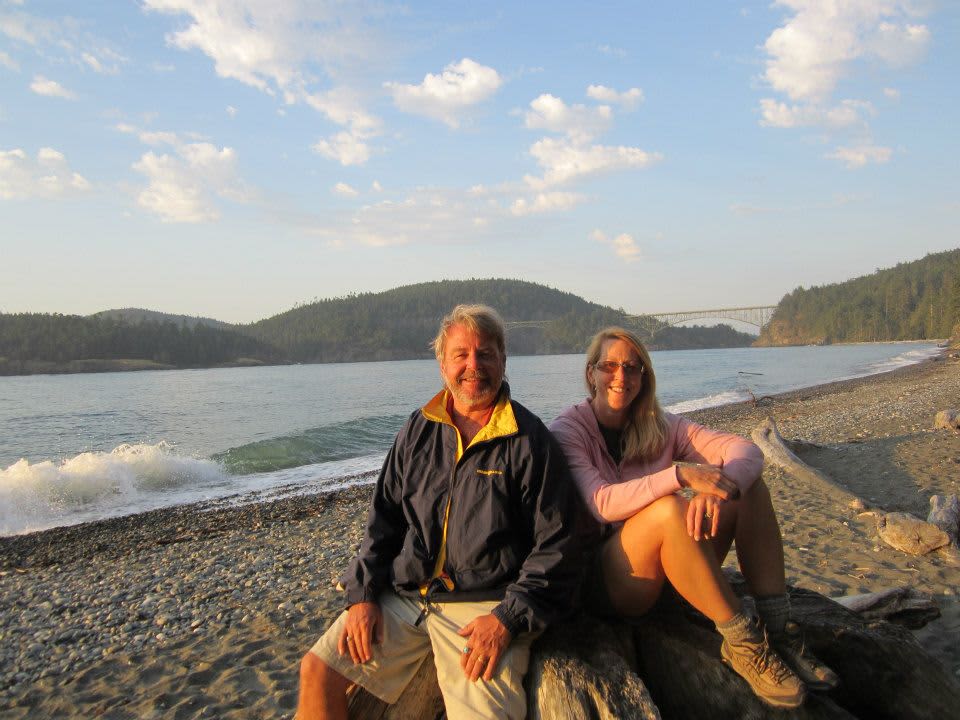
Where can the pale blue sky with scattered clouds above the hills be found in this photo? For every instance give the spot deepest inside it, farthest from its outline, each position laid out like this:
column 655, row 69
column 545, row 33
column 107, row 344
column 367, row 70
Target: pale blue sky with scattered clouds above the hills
column 234, row 158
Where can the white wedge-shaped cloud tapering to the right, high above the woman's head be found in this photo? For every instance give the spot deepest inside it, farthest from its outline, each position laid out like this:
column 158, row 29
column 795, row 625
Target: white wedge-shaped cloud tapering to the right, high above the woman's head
column 564, row 161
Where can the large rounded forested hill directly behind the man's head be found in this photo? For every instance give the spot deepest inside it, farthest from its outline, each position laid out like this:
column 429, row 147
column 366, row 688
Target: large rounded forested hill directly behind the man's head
column 400, row 323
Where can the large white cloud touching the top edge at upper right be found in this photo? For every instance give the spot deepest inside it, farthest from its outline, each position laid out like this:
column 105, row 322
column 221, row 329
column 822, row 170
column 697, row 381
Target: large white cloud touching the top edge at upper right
column 818, row 44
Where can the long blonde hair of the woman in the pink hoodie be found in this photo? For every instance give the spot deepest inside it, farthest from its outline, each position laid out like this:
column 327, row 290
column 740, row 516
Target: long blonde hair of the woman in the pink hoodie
column 645, row 433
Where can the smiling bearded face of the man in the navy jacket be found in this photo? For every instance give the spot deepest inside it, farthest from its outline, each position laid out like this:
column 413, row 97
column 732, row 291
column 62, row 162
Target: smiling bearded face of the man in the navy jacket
column 472, row 368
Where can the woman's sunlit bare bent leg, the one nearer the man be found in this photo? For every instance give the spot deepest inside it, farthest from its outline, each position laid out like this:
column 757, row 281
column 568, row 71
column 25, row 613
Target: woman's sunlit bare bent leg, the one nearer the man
column 653, row 546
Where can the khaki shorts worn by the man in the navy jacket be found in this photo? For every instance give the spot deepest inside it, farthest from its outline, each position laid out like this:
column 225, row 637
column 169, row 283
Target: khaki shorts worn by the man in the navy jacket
column 405, row 645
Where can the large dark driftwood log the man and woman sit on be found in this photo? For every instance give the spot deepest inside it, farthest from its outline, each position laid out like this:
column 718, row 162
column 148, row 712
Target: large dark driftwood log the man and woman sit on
column 668, row 665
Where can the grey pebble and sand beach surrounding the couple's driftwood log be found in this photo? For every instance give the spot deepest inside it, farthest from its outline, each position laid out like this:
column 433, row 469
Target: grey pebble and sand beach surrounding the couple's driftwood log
column 204, row 611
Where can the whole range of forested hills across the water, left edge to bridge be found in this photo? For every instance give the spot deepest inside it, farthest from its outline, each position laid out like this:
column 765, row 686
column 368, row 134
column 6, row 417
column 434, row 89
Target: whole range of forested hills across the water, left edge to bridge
column 393, row 325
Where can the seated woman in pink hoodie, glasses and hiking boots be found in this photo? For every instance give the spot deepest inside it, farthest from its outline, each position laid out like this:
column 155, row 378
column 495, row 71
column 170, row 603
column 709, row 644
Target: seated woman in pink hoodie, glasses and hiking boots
column 629, row 459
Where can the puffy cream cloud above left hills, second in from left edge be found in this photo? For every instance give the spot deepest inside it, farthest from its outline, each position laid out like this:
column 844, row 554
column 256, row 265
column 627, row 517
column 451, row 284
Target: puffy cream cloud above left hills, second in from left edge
column 183, row 187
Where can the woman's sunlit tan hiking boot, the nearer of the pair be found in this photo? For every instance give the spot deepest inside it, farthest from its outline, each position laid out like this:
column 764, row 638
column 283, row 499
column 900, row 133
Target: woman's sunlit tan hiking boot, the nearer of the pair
column 756, row 662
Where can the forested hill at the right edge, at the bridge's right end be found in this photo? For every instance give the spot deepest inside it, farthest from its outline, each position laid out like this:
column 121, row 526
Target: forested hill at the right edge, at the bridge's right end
column 914, row 300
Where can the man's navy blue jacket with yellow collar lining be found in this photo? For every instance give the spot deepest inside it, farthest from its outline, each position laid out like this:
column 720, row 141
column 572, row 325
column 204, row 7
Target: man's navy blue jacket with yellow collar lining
column 511, row 526
